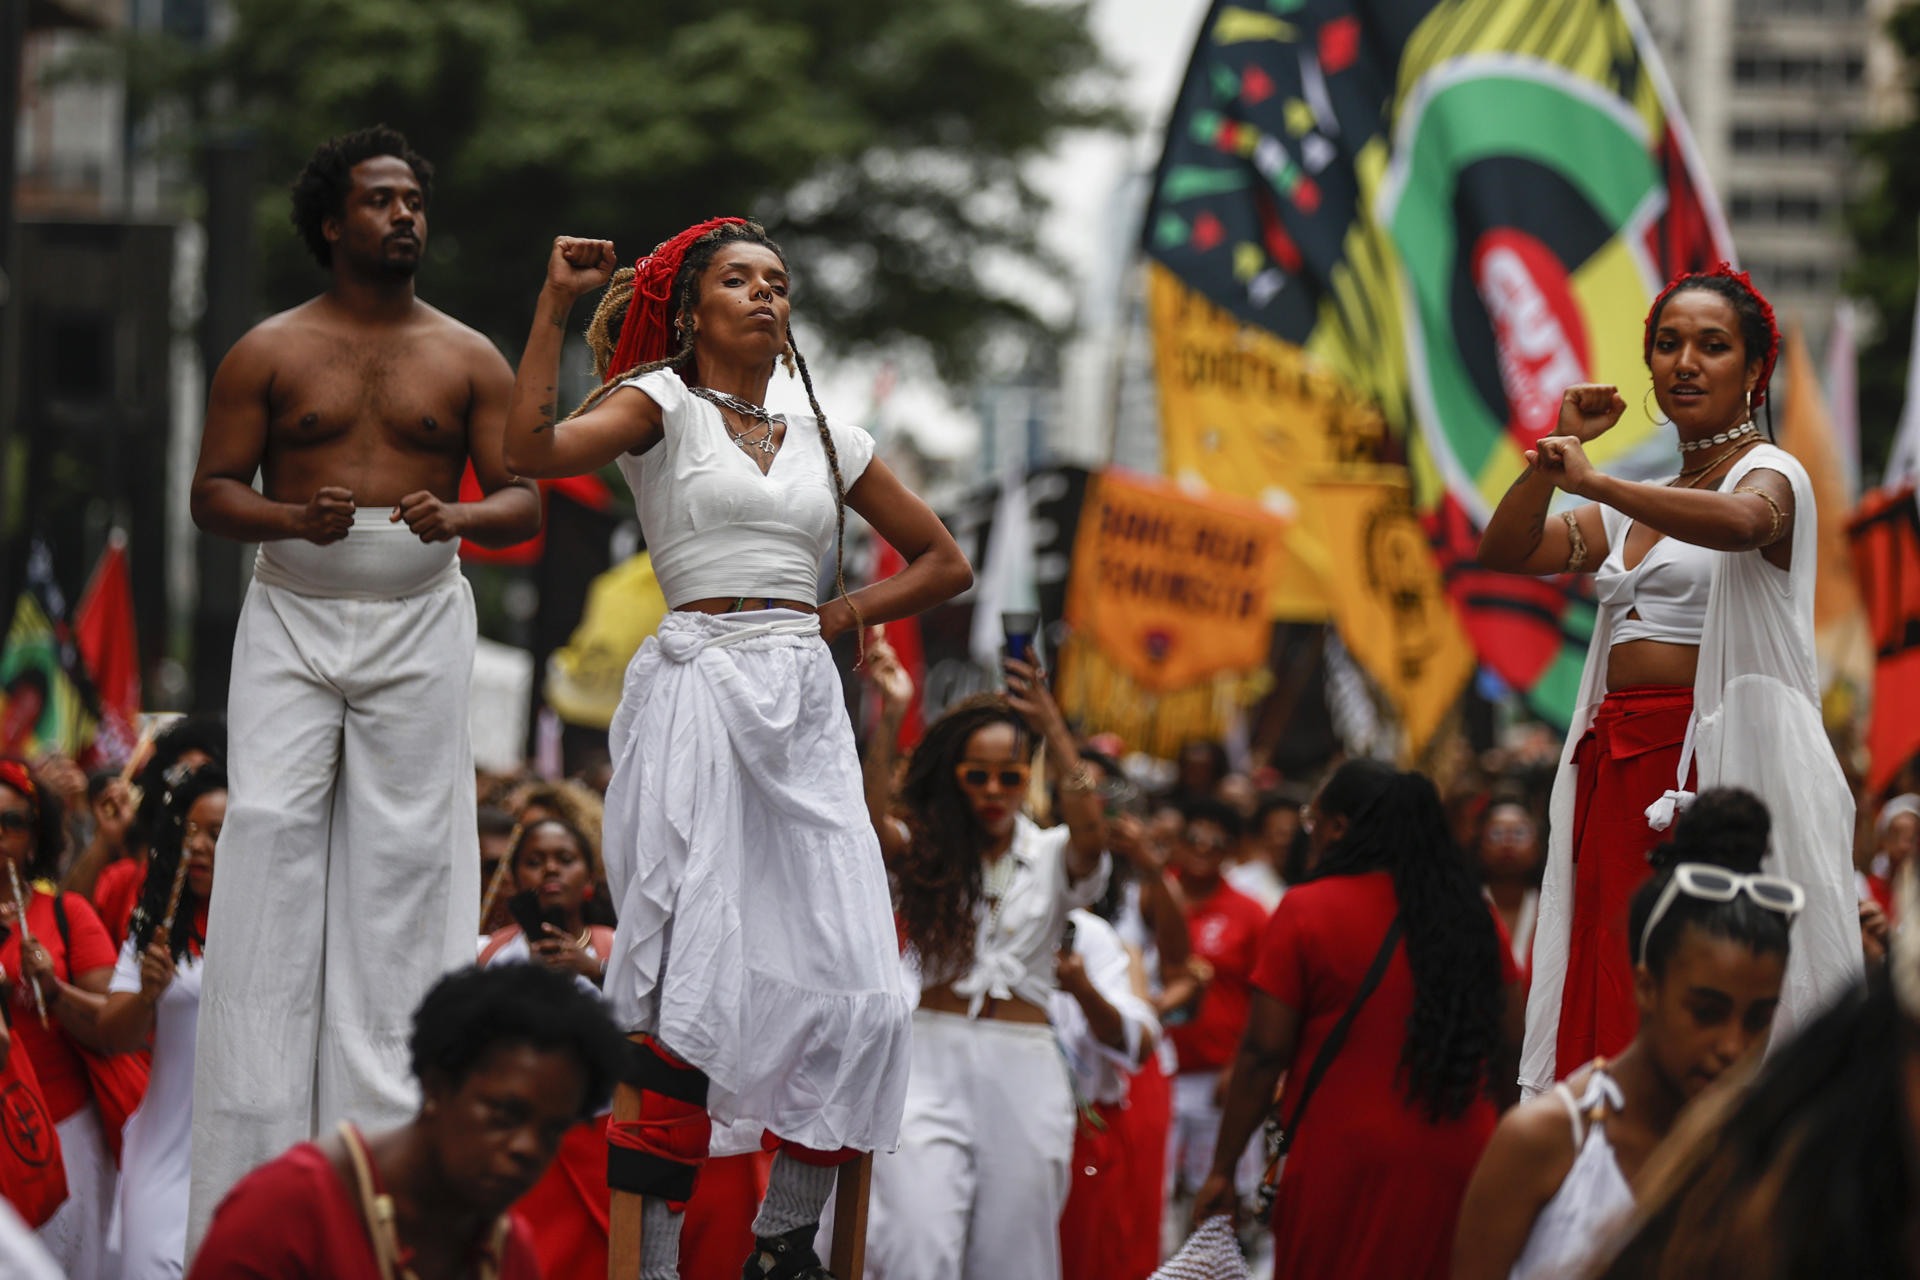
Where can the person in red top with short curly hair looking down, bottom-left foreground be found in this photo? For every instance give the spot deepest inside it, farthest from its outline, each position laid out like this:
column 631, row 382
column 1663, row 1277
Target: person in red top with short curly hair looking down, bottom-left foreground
column 510, row 1060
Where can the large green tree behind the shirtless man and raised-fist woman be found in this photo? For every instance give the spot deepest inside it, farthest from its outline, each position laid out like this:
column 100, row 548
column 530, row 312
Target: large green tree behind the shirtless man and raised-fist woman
column 888, row 147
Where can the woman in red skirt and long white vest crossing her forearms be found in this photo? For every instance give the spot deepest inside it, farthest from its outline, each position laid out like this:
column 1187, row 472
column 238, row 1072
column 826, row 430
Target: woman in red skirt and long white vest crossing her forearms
column 1702, row 669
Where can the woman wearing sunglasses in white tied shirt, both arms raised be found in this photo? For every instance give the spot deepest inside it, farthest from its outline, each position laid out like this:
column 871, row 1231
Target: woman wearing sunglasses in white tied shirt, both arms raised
column 982, row 1175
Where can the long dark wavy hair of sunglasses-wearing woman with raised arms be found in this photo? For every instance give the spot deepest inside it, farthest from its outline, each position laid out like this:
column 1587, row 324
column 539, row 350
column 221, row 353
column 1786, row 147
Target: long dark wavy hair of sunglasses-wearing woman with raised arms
column 938, row 880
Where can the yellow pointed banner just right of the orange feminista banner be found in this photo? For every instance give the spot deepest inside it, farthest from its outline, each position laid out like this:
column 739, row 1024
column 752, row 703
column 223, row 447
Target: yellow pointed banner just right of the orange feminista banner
column 1389, row 602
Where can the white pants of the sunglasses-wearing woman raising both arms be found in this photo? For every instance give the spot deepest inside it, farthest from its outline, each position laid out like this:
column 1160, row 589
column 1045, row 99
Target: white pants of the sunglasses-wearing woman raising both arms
column 984, row 1166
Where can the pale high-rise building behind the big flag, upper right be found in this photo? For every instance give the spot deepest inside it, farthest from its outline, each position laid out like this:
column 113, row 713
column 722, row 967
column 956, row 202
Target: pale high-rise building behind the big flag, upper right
column 1777, row 91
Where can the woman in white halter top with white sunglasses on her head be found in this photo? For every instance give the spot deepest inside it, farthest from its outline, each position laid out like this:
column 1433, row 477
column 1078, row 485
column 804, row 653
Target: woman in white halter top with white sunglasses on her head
column 1710, row 947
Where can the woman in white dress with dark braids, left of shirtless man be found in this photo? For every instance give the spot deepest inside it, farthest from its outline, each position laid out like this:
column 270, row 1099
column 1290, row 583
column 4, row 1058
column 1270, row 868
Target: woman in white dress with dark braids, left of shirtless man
column 156, row 997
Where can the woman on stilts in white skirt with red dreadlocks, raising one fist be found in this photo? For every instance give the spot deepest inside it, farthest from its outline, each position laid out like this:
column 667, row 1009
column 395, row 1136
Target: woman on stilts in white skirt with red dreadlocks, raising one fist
column 756, row 945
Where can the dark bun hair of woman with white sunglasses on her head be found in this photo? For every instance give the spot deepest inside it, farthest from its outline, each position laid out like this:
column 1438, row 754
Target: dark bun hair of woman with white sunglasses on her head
column 1727, row 828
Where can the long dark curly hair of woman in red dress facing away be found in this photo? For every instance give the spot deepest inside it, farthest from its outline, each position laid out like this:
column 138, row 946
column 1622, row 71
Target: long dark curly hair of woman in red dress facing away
column 1399, row 826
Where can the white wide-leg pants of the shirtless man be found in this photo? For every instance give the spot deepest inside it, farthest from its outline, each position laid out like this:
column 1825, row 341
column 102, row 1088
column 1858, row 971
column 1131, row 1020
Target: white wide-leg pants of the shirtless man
column 348, row 868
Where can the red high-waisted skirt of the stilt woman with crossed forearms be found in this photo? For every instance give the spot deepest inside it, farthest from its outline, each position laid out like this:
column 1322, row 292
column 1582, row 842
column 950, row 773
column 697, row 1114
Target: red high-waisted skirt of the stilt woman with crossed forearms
column 1625, row 763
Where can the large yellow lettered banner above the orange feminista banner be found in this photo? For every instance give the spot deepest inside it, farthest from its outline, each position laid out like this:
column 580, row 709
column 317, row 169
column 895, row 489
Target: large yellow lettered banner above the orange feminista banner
column 1255, row 417
